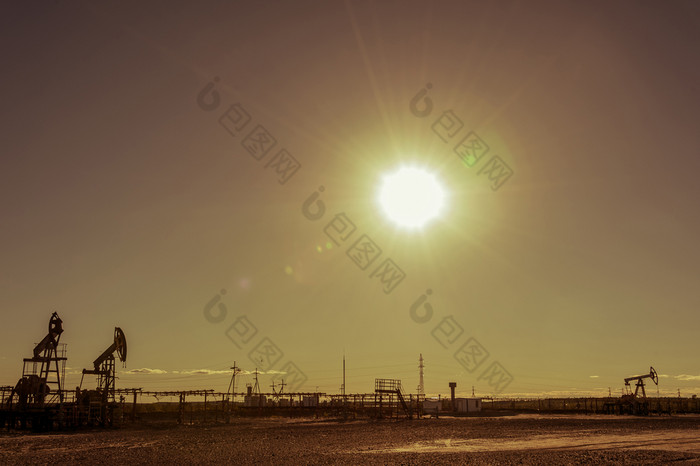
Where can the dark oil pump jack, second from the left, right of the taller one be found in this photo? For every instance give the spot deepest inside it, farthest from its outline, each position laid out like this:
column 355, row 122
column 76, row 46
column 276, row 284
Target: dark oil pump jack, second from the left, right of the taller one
column 101, row 401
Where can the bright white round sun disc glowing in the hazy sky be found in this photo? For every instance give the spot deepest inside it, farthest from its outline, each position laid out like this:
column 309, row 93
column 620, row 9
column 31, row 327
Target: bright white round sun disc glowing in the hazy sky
column 411, row 197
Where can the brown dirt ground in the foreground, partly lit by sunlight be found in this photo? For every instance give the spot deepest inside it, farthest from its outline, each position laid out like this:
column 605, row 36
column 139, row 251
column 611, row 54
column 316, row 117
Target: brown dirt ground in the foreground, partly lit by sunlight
column 522, row 439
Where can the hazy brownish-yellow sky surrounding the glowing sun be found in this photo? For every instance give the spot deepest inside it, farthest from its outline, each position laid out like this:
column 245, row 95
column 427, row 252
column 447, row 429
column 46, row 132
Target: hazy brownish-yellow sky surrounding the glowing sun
column 126, row 202
